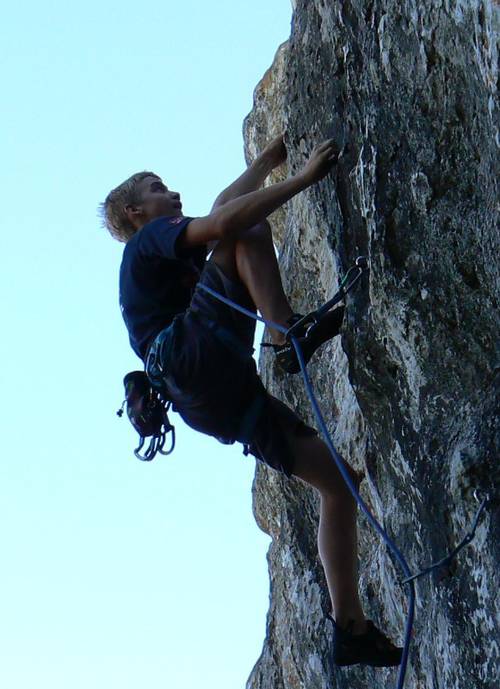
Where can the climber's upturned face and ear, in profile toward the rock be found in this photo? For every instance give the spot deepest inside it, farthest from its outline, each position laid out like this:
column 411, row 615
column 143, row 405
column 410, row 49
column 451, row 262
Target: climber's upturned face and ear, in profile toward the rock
column 156, row 200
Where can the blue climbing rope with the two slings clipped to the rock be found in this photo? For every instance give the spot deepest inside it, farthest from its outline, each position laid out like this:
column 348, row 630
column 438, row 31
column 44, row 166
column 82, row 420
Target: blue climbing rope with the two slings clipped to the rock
column 345, row 285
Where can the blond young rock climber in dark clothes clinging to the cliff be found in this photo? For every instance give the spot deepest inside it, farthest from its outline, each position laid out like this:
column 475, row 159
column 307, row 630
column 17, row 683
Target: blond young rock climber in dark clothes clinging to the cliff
column 198, row 350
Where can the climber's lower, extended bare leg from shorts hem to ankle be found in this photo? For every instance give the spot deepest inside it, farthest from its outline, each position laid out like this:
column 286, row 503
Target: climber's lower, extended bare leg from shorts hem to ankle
column 337, row 532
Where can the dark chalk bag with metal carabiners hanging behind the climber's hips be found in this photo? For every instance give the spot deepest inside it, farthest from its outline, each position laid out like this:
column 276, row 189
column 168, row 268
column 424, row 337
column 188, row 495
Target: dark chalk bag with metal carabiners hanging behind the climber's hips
column 147, row 412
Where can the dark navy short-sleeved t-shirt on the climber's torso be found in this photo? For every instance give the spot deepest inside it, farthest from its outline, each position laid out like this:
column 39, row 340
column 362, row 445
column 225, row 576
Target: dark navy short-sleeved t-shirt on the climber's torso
column 156, row 279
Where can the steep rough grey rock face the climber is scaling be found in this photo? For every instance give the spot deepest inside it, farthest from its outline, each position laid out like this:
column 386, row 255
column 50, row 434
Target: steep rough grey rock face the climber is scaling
column 410, row 390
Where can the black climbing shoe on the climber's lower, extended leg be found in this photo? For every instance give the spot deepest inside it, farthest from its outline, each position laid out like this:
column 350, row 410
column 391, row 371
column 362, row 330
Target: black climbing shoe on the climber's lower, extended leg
column 371, row 648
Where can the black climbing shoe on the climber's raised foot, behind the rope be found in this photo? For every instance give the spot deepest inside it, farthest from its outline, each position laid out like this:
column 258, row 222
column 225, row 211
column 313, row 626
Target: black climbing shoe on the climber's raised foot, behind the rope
column 309, row 338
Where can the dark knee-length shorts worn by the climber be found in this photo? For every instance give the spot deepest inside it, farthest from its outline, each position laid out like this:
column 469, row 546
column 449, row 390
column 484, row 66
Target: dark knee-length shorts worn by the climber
column 203, row 363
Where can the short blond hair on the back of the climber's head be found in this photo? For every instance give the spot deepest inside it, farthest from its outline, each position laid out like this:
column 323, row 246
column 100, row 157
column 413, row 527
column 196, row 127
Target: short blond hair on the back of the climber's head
column 112, row 211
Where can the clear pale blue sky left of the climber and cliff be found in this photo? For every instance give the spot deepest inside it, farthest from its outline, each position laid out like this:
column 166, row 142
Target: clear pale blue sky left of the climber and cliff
column 116, row 573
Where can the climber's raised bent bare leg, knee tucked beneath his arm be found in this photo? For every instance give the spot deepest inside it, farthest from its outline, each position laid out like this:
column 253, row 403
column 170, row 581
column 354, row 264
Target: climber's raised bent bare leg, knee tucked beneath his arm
column 250, row 257
